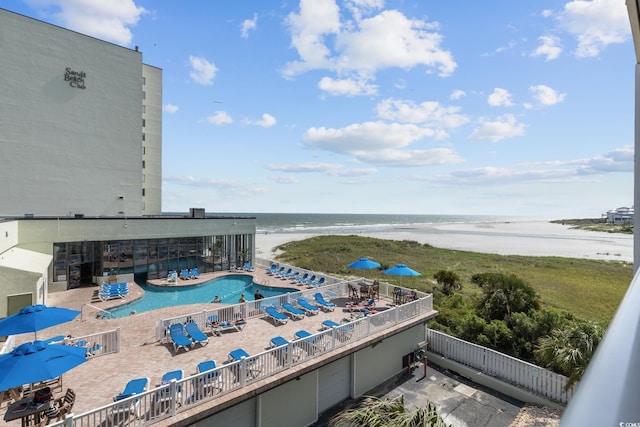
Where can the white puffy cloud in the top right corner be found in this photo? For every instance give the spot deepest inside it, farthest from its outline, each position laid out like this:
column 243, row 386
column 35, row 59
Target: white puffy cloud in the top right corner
column 596, row 24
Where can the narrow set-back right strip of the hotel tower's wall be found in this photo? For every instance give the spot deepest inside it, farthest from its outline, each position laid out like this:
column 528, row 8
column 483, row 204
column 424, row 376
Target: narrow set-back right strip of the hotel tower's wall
column 152, row 142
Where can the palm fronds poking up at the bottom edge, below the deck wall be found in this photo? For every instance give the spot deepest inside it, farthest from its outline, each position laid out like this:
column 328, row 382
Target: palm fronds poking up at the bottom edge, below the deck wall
column 375, row 412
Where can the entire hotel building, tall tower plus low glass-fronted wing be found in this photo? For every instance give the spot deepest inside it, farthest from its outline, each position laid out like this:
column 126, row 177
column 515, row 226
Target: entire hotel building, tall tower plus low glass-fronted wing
column 81, row 143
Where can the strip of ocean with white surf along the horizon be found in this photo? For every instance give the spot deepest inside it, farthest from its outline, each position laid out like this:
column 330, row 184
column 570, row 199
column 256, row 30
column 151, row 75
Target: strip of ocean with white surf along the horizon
column 267, row 223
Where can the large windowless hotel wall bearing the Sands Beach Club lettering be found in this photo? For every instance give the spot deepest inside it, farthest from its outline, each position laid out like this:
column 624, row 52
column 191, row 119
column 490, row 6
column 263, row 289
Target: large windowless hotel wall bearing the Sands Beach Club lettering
column 71, row 121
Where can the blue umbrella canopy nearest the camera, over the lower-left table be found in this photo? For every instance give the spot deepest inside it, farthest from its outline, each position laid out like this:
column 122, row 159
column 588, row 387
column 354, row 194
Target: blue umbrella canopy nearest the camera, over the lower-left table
column 38, row 361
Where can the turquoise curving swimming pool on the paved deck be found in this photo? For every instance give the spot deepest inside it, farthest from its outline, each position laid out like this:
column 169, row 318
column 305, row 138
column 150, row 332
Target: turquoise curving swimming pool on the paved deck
column 228, row 288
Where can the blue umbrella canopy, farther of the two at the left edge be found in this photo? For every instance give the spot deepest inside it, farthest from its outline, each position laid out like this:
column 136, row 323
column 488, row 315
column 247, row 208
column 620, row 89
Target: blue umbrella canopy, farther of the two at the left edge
column 33, row 318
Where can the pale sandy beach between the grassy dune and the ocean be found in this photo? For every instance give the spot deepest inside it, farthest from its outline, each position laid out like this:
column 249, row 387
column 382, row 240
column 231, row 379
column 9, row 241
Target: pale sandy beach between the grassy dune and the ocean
column 529, row 238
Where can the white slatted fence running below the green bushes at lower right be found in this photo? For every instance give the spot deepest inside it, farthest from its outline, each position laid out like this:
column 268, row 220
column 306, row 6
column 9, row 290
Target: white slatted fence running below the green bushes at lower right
column 490, row 362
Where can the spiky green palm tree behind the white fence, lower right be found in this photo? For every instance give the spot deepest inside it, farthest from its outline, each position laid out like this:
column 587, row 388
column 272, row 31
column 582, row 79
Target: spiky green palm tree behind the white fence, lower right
column 568, row 351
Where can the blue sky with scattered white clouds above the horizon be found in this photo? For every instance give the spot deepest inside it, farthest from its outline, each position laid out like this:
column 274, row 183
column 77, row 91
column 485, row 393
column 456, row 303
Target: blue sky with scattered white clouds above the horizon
column 371, row 106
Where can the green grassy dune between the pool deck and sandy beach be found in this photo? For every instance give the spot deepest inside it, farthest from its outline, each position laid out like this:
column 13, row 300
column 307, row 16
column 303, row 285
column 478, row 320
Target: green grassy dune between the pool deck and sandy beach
column 588, row 288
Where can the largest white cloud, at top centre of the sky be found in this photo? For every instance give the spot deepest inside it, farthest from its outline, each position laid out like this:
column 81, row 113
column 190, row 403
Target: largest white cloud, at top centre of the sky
column 362, row 46
